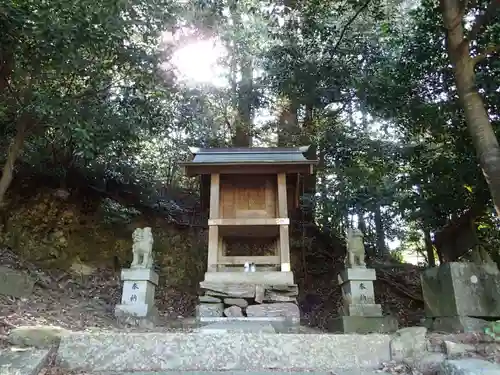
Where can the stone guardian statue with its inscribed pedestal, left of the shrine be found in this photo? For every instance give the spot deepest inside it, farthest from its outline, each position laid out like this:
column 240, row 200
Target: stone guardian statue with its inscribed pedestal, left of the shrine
column 139, row 283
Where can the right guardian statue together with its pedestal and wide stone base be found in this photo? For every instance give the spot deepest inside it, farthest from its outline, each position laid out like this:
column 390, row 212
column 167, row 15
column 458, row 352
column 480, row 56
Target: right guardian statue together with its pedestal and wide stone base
column 359, row 313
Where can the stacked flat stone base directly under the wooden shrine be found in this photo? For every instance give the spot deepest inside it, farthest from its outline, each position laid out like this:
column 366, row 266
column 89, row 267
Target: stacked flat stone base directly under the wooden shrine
column 248, row 300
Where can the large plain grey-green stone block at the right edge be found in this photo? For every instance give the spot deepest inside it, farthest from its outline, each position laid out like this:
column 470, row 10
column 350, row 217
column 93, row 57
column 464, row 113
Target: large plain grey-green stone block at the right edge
column 461, row 296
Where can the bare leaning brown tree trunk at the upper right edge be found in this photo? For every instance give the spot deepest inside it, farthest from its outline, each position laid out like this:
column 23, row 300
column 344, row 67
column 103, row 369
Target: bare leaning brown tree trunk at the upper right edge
column 476, row 117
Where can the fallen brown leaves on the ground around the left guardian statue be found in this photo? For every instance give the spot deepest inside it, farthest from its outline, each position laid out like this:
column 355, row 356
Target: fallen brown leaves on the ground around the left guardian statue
column 77, row 302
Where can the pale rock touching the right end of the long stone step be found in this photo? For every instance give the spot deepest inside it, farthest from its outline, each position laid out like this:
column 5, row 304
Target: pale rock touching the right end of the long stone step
column 408, row 342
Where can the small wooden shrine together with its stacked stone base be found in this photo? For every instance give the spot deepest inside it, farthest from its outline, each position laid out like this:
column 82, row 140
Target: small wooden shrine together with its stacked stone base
column 249, row 193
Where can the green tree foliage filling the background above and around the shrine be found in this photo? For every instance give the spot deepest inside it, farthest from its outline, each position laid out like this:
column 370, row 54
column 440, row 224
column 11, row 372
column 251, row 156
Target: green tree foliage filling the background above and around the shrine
column 368, row 84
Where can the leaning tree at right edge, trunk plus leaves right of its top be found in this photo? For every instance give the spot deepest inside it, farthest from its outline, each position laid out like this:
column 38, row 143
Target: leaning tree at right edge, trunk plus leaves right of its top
column 465, row 53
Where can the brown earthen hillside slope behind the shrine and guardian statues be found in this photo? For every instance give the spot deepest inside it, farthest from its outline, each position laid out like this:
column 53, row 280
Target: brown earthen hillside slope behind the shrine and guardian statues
column 74, row 245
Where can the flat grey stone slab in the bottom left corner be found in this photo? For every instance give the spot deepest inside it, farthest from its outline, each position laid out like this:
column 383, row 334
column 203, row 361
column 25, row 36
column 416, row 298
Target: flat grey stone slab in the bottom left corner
column 29, row 362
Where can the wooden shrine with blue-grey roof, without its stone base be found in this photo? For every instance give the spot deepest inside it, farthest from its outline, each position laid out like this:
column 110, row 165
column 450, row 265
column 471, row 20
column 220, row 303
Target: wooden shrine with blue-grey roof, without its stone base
column 249, row 193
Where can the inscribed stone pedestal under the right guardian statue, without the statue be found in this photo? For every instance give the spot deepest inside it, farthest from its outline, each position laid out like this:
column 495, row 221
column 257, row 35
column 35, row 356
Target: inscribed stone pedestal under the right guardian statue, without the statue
column 359, row 313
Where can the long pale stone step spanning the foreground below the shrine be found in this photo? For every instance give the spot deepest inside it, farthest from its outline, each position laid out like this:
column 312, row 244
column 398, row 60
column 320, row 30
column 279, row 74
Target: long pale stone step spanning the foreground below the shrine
column 163, row 351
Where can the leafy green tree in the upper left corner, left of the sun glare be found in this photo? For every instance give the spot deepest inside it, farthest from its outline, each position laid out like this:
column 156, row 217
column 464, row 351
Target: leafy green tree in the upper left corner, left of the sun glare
column 67, row 65
